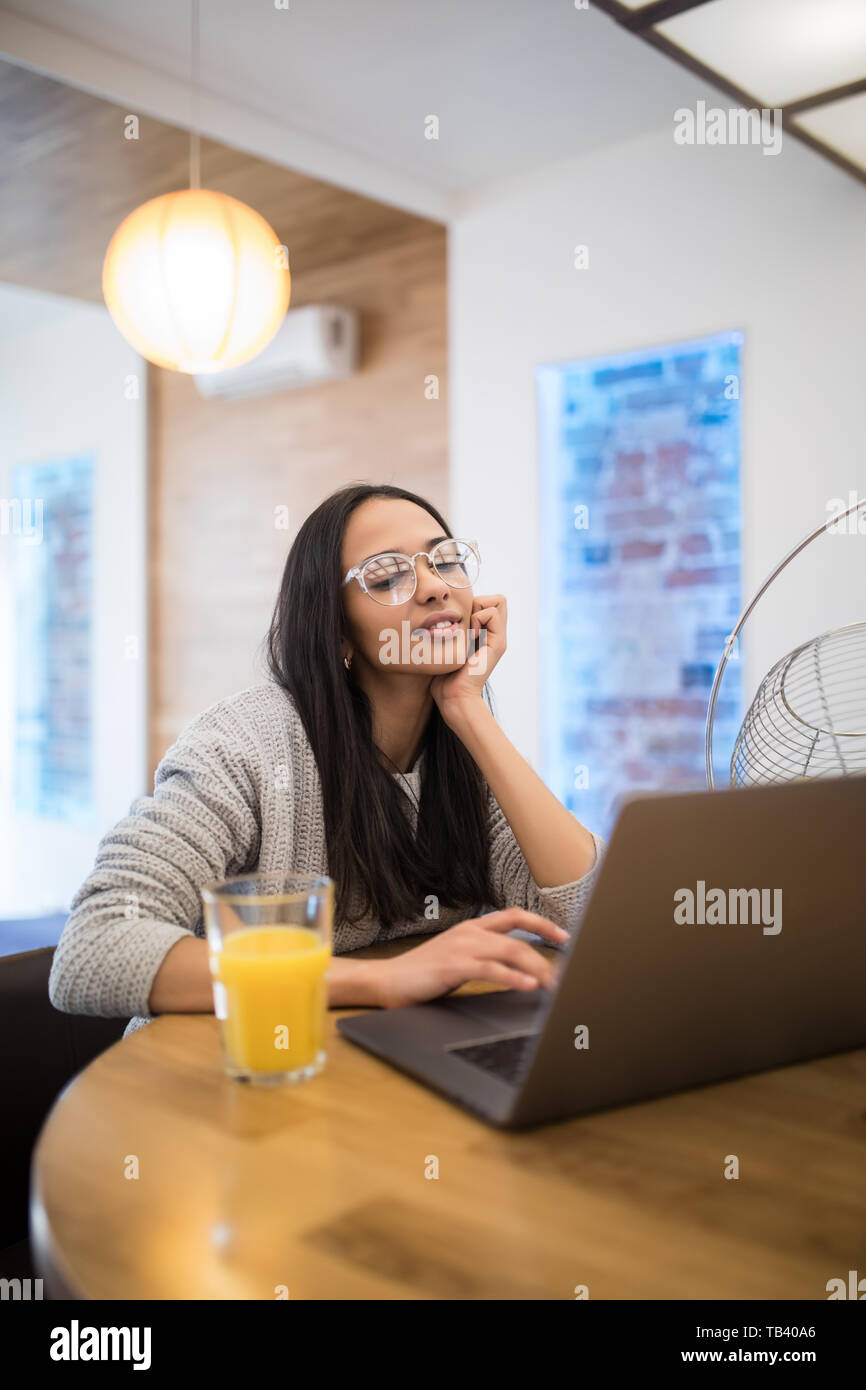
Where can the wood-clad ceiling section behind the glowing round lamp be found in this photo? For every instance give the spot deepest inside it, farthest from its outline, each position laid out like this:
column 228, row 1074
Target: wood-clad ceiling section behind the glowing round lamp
column 69, row 179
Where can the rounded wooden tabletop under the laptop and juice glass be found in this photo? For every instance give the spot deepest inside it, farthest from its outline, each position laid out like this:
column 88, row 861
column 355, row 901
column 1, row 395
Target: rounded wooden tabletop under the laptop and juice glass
column 325, row 1188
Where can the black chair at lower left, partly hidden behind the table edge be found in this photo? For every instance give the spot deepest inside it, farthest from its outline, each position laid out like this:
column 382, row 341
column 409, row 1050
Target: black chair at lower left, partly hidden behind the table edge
column 42, row 1050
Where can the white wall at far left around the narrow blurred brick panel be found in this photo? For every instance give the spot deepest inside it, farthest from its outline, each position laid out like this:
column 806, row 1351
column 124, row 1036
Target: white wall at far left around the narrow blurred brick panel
column 63, row 375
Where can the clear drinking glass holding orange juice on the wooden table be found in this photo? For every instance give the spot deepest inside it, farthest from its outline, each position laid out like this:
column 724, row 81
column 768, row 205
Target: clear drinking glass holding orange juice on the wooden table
column 270, row 938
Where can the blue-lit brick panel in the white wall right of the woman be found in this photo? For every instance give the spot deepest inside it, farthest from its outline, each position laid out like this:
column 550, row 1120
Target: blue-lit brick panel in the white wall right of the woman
column 642, row 571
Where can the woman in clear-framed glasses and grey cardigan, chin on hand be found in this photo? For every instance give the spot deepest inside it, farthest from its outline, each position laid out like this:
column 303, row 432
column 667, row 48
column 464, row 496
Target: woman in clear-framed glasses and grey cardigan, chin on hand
column 370, row 755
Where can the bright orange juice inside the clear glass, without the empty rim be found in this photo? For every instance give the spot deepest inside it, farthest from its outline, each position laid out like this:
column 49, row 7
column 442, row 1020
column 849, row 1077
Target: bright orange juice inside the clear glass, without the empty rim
column 276, row 997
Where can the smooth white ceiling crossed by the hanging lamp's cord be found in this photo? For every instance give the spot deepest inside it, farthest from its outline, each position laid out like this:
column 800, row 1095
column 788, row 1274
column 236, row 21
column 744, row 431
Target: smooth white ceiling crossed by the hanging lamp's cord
column 341, row 91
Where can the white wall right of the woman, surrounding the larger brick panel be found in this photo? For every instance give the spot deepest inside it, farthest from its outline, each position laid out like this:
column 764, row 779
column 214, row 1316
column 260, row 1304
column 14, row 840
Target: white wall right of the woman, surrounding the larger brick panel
column 683, row 243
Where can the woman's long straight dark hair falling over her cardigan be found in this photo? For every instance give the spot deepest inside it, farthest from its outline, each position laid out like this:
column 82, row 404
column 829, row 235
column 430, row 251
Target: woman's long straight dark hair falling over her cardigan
column 377, row 867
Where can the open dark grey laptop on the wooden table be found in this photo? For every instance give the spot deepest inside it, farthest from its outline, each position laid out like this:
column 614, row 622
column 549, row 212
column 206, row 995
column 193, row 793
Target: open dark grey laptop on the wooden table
column 726, row 935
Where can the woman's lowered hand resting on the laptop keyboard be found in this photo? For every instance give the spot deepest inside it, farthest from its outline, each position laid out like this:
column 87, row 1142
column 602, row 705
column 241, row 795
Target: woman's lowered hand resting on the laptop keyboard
column 476, row 950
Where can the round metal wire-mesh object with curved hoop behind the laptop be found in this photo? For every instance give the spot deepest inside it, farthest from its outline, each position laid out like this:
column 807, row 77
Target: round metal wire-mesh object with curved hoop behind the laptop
column 808, row 718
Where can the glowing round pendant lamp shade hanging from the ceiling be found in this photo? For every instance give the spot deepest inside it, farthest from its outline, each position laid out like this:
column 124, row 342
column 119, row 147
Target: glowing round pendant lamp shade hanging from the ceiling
column 197, row 281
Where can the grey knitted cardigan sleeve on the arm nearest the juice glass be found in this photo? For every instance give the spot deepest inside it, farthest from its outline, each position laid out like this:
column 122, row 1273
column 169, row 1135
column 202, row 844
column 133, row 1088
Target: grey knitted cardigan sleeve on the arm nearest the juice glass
column 142, row 894
